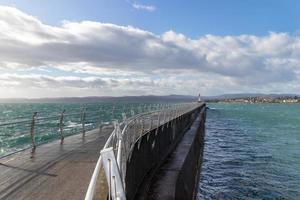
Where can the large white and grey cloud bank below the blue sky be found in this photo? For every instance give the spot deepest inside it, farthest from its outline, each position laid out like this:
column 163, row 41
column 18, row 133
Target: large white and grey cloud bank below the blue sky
column 217, row 64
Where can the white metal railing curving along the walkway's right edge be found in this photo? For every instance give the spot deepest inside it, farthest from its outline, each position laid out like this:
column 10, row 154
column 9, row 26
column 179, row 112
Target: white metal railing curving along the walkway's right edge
column 116, row 152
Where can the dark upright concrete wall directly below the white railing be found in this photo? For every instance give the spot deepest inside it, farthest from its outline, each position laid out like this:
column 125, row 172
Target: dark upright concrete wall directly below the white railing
column 151, row 150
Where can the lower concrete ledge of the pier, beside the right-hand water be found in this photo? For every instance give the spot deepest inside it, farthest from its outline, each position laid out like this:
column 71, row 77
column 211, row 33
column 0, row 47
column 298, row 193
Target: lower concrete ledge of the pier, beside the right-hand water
column 177, row 177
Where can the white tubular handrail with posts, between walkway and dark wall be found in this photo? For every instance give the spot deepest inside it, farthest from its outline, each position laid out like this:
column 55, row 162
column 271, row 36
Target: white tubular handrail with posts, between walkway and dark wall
column 122, row 141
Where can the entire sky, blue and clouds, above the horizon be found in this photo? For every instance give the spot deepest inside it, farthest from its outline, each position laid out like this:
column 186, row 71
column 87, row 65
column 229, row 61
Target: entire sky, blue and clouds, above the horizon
column 69, row 48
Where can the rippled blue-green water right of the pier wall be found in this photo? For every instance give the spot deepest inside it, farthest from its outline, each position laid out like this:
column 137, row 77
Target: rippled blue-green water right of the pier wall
column 252, row 151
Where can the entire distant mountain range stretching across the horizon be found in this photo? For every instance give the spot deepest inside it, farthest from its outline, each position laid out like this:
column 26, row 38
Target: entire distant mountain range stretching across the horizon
column 146, row 98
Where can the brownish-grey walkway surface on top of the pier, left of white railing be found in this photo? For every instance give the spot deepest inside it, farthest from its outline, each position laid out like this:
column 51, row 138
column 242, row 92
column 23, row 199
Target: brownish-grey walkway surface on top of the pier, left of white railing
column 55, row 171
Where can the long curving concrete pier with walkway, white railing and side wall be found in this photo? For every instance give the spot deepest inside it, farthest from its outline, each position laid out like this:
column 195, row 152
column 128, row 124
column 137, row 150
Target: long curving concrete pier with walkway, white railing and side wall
column 136, row 157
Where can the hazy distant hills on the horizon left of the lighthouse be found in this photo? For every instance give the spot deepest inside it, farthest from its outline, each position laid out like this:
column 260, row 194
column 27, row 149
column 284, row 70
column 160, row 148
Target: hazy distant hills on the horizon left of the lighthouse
column 94, row 99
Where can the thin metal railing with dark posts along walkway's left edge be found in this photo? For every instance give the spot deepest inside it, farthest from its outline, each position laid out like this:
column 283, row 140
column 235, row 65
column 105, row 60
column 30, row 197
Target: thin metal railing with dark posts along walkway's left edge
column 35, row 130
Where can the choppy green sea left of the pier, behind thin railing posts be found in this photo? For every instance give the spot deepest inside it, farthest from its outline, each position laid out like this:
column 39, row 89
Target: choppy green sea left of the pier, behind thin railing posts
column 15, row 120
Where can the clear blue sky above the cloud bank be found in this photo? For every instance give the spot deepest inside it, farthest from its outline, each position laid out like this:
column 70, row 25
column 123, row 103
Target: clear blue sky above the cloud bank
column 192, row 18
